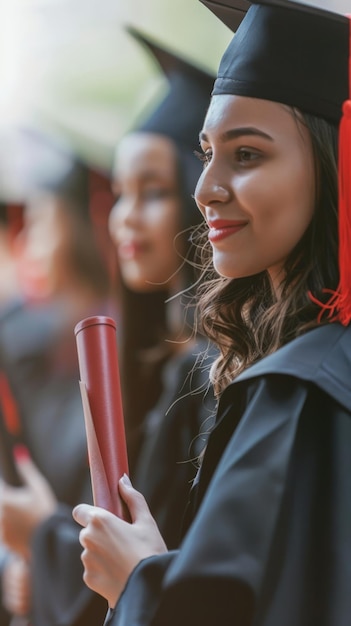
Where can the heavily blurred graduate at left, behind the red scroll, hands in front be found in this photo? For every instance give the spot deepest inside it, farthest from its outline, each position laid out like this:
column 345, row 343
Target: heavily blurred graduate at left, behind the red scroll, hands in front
column 64, row 280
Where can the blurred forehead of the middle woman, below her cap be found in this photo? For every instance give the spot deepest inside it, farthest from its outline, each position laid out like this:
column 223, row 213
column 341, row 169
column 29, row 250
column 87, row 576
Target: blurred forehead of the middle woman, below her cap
column 141, row 152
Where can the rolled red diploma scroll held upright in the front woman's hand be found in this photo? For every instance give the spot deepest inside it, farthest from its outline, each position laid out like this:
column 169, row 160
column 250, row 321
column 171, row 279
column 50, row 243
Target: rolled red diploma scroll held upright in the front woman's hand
column 103, row 412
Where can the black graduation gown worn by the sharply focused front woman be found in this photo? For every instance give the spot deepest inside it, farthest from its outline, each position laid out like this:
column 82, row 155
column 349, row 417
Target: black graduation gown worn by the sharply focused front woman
column 270, row 537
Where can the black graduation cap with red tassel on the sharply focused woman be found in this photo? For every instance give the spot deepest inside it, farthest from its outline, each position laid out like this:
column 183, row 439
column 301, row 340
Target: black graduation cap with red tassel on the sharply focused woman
column 299, row 54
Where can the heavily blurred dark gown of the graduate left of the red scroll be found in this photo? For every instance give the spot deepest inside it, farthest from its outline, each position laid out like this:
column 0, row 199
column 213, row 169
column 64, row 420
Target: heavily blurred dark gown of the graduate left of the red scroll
column 38, row 358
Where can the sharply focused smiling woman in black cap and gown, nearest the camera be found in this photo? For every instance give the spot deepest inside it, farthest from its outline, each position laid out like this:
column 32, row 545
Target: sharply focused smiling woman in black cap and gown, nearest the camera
column 269, row 535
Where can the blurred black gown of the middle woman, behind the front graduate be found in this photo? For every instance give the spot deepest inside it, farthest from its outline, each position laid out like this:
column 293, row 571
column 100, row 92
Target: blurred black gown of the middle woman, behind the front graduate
column 174, row 435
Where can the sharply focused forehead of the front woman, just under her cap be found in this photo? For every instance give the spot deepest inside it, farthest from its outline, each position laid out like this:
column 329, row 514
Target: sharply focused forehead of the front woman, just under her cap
column 227, row 112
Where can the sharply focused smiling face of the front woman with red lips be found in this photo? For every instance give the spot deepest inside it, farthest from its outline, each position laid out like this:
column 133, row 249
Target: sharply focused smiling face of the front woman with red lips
column 257, row 190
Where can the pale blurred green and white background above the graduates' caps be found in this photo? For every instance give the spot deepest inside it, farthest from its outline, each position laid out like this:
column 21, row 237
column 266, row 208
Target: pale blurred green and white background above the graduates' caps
column 69, row 66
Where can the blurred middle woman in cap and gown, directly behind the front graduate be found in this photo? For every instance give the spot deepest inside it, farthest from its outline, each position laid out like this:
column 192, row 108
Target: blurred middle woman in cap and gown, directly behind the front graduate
column 154, row 175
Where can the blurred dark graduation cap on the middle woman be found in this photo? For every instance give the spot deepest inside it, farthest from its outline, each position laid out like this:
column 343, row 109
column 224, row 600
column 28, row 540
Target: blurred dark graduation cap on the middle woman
column 180, row 114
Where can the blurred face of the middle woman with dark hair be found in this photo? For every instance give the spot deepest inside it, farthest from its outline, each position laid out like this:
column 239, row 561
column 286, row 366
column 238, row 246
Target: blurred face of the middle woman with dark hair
column 146, row 217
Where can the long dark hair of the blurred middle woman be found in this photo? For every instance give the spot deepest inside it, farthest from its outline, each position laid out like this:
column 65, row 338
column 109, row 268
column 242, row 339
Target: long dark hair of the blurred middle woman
column 148, row 340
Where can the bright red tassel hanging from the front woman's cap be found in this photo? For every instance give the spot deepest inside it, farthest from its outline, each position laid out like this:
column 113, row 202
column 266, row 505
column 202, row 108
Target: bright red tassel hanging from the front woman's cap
column 339, row 305
